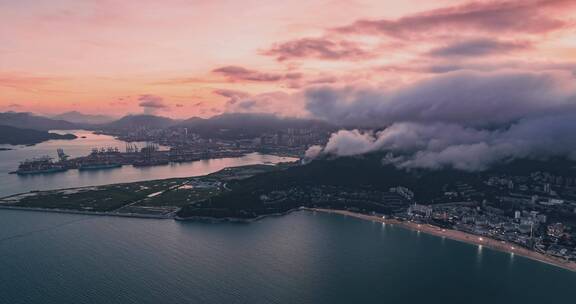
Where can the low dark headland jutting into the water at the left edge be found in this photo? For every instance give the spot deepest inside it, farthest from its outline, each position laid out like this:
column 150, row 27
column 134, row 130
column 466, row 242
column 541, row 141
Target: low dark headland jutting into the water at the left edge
column 17, row 136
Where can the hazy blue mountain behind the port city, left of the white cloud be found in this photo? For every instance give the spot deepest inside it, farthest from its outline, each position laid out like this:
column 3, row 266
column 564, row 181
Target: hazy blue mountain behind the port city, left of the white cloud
column 238, row 125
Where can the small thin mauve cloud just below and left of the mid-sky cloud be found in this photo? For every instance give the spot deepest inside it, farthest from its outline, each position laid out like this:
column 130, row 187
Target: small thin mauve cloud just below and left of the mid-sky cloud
column 238, row 73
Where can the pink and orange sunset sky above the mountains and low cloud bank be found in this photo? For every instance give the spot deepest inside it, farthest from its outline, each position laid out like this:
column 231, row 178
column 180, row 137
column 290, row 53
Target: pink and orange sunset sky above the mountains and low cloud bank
column 182, row 58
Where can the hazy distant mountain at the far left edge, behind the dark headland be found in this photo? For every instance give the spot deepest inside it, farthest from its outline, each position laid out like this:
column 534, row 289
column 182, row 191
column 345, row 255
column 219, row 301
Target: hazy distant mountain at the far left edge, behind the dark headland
column 30, row 121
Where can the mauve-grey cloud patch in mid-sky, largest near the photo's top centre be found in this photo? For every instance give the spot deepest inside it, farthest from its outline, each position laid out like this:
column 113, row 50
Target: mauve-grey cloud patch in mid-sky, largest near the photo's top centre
column 318, row 48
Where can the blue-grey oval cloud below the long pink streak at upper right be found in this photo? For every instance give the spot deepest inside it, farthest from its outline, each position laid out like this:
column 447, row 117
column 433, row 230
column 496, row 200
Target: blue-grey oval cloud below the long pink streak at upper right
column 479, row 47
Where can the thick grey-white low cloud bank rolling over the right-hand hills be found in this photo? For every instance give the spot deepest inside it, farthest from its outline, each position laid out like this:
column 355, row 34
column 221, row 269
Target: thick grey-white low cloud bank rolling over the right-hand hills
column 467, row 121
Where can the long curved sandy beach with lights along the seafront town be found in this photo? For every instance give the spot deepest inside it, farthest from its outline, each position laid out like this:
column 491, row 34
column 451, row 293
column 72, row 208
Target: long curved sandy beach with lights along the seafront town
column 462, row 237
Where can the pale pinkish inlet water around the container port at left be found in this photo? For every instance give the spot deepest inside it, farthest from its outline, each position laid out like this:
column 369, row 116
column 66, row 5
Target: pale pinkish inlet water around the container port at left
column 12, row 183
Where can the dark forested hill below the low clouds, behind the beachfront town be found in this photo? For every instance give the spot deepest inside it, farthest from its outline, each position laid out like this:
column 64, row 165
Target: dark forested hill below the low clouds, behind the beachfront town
column 361, row 183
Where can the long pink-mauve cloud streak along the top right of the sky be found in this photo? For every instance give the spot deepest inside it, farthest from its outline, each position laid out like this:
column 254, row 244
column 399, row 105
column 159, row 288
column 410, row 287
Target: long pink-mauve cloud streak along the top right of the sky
column 517, row 16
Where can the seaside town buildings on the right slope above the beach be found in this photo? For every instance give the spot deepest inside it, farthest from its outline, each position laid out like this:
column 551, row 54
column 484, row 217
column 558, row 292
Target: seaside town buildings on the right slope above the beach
column 536, row 211
